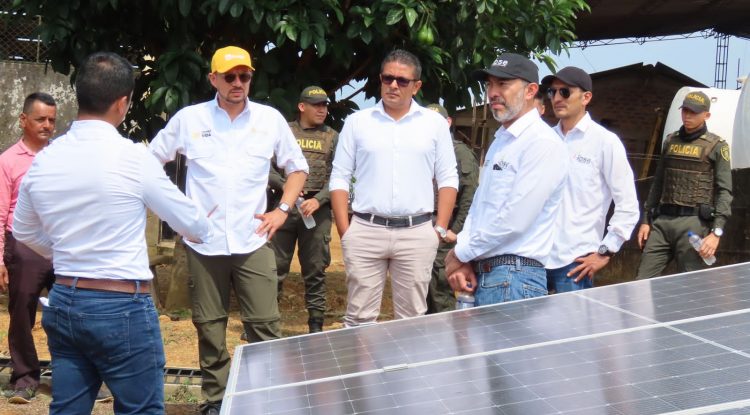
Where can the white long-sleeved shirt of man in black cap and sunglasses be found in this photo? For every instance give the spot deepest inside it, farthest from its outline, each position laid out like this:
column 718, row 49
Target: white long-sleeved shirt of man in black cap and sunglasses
column 599, row 174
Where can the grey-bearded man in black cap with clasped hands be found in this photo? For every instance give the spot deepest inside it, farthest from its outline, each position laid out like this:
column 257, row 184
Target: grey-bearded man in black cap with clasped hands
column 506, row 240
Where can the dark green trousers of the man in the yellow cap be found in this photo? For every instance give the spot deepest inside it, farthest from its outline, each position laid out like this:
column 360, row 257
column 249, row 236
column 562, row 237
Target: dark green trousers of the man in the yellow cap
column 253, row 277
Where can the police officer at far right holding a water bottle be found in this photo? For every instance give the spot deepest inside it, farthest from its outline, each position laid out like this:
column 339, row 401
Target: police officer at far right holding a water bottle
column 692, row 191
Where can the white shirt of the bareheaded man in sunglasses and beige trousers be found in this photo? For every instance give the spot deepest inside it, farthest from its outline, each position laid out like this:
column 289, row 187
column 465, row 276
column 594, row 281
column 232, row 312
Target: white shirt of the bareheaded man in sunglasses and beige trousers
column 394, row 162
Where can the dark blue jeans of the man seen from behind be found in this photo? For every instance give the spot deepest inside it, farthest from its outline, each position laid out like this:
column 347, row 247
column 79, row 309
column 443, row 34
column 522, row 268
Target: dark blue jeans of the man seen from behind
column 96, row 336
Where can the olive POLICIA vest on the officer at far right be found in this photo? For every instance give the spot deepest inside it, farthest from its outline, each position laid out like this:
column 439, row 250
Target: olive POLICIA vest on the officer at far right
column 688, row 170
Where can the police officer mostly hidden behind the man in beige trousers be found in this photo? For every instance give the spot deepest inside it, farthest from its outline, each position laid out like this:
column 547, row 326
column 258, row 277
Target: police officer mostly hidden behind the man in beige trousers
column 439, row 294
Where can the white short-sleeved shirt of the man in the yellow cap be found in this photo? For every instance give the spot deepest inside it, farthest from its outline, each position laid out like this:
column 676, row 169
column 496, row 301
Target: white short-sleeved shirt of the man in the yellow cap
column 227, row 167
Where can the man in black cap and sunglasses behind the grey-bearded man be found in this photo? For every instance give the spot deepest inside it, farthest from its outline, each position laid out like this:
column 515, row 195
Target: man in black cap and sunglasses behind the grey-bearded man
column 599, row 174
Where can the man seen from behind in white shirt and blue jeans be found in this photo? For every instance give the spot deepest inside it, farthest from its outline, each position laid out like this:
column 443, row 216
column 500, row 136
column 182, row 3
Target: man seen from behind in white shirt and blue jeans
column 83, row 202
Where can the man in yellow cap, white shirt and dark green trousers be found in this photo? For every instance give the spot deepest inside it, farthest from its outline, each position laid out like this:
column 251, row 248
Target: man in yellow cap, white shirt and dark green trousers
column 229, row 143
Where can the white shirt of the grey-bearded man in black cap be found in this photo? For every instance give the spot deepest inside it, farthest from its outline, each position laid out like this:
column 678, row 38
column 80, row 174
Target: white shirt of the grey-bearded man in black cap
column 520, row 187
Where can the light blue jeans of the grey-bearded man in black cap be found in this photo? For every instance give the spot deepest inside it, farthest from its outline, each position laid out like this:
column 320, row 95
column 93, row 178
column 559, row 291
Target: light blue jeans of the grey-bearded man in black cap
column 510, row 282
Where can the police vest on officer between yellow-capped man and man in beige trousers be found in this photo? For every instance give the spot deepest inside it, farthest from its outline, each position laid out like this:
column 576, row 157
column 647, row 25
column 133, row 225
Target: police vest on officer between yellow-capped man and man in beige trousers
column 317, row 145
